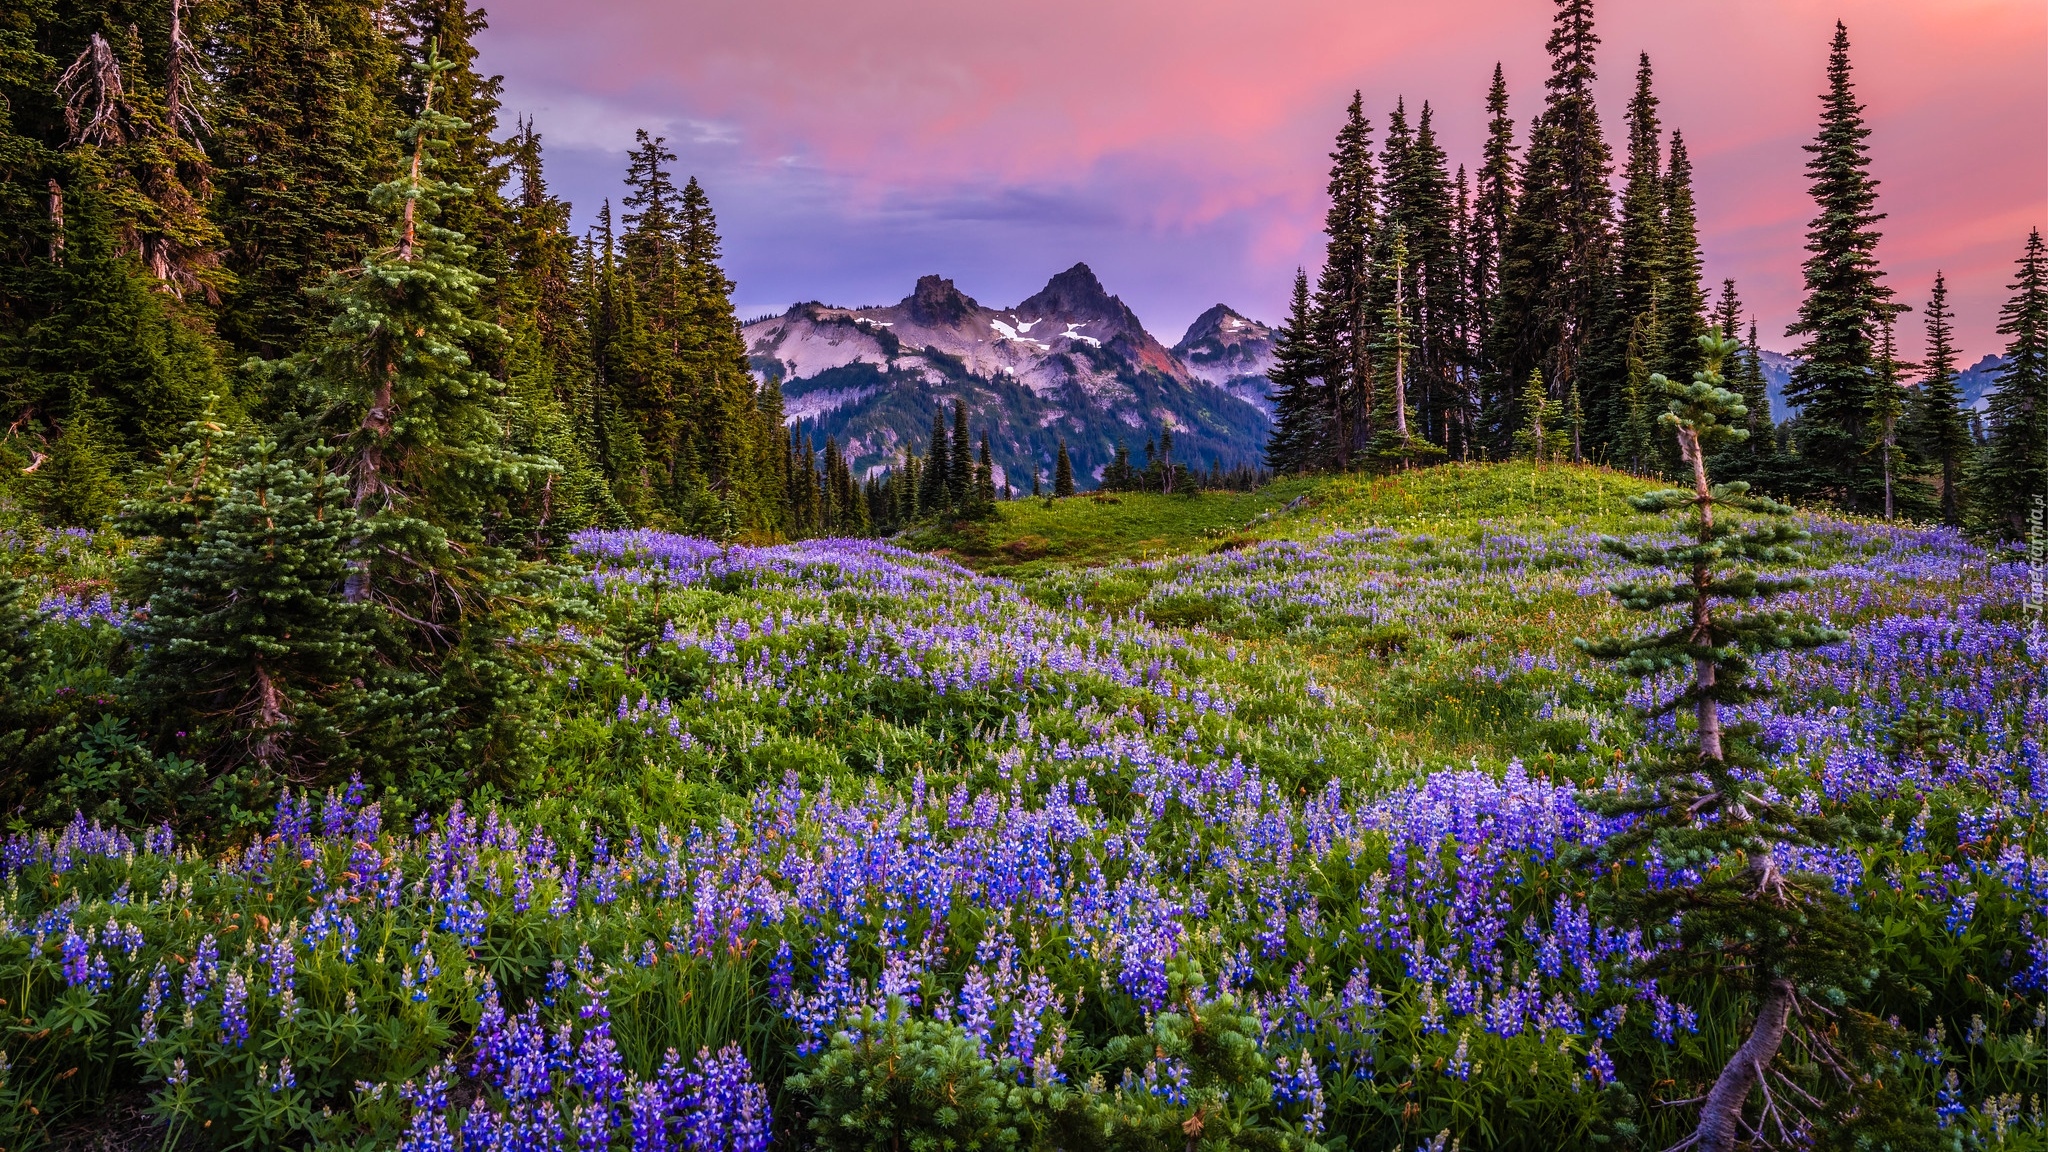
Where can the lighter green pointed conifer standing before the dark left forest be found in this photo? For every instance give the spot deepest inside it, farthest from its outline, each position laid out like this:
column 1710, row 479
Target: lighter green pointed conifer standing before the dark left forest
column 431, row 481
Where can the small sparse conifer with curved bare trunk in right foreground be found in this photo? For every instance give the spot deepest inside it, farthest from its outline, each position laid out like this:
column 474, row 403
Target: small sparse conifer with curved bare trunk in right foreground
column 1705, row 835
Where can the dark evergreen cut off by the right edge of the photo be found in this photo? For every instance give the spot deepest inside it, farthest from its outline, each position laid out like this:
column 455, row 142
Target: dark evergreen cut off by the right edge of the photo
column 2010, row 485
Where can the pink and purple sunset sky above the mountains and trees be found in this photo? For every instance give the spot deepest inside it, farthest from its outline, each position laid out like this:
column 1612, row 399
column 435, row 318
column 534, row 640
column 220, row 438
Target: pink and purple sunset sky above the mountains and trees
column 1179, row 147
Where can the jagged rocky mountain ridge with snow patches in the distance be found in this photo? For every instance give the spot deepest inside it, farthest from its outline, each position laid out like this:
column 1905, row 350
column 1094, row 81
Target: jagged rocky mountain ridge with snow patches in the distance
column 1068, row 364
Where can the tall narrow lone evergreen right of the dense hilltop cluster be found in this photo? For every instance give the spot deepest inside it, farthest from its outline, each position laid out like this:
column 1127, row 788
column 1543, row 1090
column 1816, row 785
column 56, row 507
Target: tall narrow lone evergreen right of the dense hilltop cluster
column 1836, row 376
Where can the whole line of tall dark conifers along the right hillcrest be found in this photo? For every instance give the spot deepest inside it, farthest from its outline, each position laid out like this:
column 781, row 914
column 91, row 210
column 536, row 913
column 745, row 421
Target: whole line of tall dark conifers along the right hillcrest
column 1527, row 308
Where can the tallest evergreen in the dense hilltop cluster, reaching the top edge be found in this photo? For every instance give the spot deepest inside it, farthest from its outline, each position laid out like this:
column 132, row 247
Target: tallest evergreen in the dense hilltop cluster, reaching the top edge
column 1555, row 270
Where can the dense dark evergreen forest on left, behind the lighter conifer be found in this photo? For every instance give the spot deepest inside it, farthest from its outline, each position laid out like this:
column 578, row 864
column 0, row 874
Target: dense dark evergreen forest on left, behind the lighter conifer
column 191, row 198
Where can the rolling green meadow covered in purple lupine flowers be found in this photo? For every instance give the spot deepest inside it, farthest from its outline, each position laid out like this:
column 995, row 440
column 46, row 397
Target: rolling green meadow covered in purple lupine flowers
column 1304, row 764
